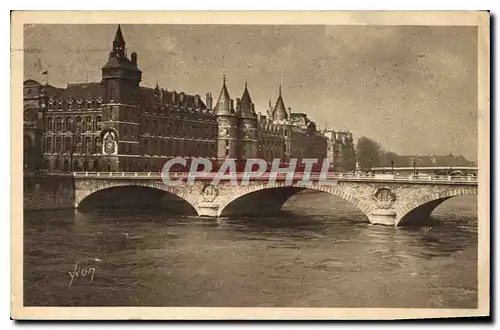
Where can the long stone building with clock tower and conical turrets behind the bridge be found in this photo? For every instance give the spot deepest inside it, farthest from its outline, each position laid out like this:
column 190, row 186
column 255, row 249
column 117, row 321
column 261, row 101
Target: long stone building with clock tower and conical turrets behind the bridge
column 118, row 125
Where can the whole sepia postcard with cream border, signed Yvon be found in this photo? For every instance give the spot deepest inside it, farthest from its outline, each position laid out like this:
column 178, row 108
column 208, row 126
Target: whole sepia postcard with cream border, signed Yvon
column 250, row 165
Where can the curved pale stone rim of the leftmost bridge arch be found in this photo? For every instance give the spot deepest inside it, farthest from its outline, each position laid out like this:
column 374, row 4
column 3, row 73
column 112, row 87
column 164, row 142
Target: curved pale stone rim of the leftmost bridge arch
column 84, row 191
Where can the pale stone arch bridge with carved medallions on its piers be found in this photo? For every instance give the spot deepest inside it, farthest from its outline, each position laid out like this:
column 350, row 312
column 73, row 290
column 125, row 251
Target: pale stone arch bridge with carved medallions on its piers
column 384, row 199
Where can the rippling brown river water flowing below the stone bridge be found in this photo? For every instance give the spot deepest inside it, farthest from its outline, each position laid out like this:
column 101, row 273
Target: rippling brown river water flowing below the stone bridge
column 320, row 252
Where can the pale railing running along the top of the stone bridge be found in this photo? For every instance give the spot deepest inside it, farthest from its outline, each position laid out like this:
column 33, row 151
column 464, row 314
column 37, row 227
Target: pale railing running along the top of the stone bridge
column 297, row 176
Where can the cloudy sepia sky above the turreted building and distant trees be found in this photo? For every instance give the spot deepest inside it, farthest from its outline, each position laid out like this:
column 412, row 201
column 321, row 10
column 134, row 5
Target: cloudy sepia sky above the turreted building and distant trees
column 413, row 89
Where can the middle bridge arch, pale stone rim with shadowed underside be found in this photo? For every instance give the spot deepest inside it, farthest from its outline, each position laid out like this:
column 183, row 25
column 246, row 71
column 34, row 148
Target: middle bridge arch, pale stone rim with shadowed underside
column 271, row 197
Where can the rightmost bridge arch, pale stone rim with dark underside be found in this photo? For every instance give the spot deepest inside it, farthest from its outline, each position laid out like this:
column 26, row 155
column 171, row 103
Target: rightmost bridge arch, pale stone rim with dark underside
column 421, row 208
